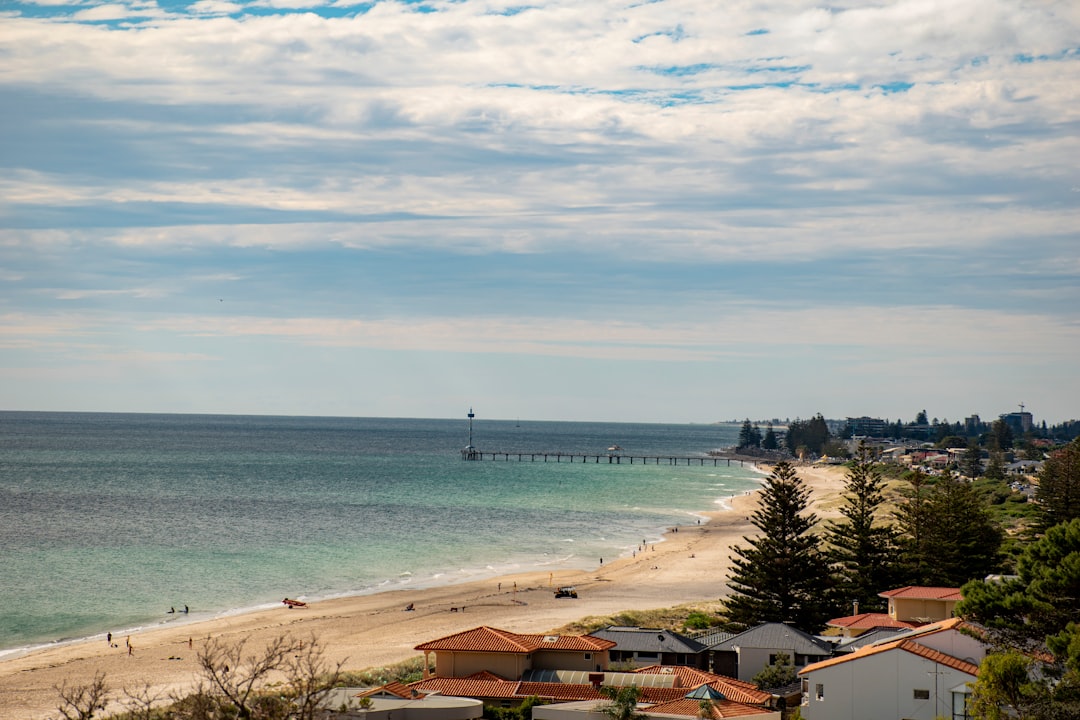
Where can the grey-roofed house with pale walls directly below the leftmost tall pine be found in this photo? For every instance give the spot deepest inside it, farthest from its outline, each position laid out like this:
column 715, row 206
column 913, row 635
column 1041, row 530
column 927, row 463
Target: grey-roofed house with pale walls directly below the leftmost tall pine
column 748, row 654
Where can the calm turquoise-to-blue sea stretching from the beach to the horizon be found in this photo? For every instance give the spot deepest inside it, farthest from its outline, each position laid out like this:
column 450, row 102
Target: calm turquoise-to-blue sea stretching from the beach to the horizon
column 109, row 521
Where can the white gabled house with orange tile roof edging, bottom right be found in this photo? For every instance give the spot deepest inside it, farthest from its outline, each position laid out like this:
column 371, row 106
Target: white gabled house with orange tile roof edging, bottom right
column 921, row 675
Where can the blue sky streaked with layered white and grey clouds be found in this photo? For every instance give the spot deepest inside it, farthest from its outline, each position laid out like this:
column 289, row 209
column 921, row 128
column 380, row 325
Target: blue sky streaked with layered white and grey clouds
column 674, row 211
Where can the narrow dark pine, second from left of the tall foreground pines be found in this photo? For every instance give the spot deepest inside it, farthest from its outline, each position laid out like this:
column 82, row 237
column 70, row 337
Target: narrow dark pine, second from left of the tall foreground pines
column 861, row 550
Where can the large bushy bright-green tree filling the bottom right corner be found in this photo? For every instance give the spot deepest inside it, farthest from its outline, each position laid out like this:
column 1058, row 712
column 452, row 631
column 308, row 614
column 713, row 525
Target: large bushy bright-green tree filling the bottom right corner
column 1031, row 622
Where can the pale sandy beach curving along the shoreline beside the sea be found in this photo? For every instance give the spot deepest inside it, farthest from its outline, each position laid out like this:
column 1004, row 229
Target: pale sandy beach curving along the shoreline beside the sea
column 692, row 565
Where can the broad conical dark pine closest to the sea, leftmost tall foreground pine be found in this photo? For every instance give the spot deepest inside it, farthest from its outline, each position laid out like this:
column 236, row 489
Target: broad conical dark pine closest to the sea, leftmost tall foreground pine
column 779, row 576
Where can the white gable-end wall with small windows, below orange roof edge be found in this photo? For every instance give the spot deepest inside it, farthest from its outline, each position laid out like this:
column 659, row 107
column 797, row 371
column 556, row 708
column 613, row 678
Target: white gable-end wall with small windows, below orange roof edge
column 883, row 688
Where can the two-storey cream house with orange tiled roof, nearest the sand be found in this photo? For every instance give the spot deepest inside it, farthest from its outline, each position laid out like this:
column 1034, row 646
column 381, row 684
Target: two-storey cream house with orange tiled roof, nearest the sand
column 509, row 656
